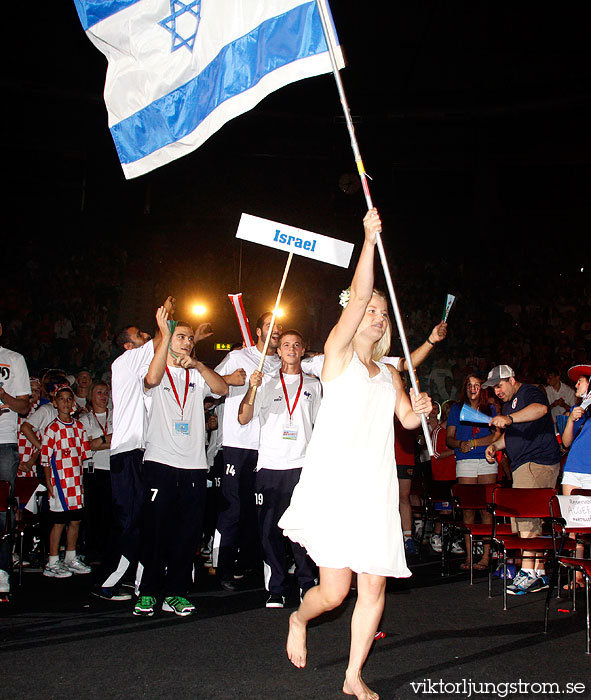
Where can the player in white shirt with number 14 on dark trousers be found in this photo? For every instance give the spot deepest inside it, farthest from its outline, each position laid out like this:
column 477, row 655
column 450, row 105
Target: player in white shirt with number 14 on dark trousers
column 237, row 526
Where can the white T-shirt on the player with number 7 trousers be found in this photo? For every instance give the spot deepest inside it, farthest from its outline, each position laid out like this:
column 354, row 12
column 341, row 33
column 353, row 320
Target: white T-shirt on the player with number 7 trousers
column 171, row 439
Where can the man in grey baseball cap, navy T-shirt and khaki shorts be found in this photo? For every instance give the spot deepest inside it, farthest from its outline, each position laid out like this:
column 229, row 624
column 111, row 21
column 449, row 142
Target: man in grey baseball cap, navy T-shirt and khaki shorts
column 531, row 445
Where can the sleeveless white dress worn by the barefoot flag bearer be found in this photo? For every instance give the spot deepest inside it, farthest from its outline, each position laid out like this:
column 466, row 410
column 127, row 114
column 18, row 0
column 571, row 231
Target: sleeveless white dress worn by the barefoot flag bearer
column 344, row 510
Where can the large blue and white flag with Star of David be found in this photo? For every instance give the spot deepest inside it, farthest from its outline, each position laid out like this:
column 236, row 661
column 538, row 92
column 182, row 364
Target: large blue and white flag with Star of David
column 180, row 69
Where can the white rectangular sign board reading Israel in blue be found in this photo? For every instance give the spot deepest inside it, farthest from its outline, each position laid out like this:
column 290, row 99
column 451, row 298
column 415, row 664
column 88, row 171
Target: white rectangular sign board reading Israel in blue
column 294, row 240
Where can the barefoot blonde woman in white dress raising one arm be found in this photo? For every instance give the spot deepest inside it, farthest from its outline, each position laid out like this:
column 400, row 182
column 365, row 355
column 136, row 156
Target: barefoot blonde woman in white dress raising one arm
column 344, row 510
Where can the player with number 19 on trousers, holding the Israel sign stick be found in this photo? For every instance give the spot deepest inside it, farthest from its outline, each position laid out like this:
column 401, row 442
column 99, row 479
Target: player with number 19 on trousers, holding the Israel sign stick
column 286, row 407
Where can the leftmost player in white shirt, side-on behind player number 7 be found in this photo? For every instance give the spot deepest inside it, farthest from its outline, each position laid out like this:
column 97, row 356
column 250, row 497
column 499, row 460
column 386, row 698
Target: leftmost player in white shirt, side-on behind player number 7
column 127, row 453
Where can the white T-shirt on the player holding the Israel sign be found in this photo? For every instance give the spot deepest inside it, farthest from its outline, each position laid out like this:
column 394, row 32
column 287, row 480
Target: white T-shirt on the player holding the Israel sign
column 276, row 452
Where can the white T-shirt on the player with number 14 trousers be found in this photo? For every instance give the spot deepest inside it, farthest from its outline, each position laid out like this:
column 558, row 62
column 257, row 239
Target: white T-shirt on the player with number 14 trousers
column 234, row 434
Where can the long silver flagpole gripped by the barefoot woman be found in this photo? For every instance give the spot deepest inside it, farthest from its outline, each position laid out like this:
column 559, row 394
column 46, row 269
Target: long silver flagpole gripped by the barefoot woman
column 326, row 20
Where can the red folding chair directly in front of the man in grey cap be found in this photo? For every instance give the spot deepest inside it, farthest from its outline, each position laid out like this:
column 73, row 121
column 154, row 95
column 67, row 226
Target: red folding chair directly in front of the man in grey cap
column 526, row 503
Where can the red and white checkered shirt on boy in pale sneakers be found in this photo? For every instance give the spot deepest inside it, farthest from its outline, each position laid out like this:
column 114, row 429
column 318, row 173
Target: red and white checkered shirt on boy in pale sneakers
column 64, row 448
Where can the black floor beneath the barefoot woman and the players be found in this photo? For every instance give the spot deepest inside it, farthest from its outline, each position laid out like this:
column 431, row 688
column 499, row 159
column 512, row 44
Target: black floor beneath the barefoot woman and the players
column 58, row 641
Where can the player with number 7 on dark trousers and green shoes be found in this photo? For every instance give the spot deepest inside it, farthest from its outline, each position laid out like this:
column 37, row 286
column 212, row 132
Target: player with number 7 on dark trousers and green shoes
column 175, row 469
